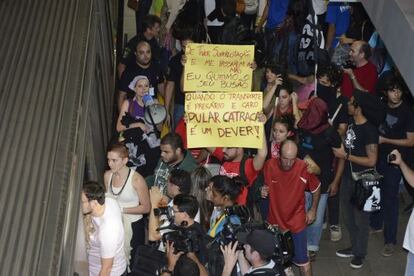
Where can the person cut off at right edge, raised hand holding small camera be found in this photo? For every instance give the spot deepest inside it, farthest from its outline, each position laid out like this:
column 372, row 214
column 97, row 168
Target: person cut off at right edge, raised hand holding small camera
column 408, row 243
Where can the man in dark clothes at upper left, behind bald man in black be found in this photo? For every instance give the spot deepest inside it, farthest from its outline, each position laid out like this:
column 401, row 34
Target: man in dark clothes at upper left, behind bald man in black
column 151, row 24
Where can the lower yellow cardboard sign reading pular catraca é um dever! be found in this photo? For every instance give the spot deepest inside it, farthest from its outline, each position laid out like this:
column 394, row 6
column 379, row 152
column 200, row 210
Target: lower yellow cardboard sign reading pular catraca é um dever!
column 227, row 119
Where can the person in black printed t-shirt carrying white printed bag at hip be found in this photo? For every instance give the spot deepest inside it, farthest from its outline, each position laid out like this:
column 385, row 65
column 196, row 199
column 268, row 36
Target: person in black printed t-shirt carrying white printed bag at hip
column 360, row 152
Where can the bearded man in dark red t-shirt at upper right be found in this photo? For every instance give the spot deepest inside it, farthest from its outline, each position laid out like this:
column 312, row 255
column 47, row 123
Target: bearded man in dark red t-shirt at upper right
column 364, row 76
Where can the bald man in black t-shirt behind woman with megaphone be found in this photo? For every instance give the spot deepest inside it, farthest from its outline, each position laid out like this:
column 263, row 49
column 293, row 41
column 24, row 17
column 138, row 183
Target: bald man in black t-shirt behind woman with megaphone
column 143, row 66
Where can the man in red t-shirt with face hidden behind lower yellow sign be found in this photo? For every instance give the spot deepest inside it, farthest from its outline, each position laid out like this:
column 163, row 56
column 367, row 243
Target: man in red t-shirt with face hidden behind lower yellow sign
column 232, row 158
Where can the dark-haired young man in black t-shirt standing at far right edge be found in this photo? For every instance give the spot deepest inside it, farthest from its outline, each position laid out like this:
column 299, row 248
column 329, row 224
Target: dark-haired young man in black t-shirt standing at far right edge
column 397, row 132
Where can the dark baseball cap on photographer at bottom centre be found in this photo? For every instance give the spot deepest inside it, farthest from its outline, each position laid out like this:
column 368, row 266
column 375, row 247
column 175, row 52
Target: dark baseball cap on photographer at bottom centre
column 262, row 241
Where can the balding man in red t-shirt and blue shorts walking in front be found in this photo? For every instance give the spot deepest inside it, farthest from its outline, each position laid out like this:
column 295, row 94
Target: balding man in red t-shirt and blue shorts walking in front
column 286, row 180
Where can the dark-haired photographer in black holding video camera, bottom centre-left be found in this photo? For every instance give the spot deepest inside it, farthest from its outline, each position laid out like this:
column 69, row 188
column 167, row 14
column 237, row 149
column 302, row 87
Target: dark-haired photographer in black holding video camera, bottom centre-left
column 187, row 237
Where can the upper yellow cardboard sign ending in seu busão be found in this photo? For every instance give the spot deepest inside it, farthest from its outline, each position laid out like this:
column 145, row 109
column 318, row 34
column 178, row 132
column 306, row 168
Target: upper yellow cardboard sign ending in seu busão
column 214, row 67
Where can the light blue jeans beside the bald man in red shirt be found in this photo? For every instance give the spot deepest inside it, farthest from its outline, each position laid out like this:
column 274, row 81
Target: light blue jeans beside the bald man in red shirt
column 314, row 230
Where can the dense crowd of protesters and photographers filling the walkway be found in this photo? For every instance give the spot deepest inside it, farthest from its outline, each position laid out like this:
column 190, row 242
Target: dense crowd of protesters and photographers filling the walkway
column 334, row 111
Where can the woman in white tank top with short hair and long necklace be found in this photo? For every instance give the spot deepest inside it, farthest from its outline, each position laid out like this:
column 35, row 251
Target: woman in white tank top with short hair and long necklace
column 130, row 190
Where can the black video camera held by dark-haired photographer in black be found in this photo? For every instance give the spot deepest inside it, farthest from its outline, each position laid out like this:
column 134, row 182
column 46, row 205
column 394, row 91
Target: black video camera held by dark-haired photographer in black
column 184, row 239
